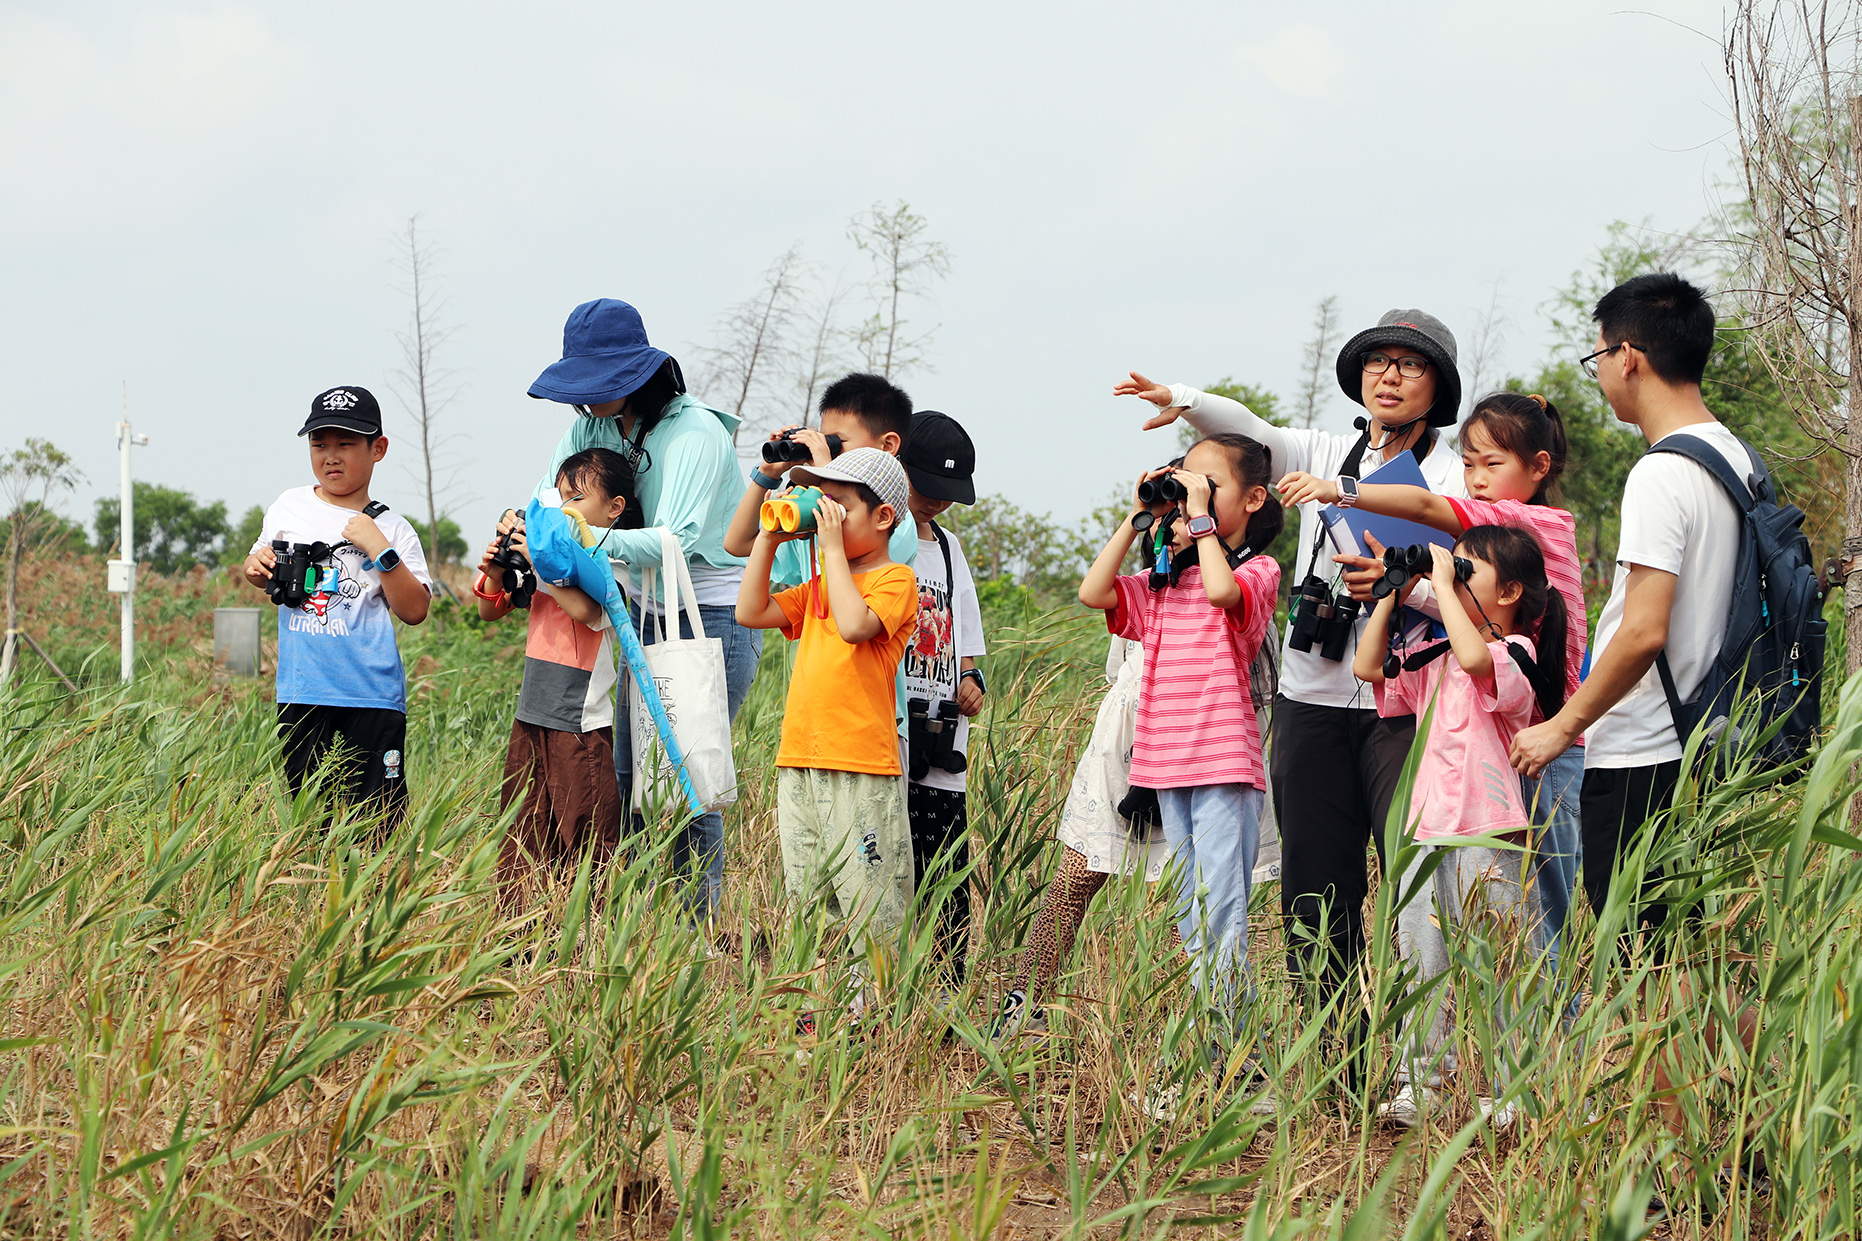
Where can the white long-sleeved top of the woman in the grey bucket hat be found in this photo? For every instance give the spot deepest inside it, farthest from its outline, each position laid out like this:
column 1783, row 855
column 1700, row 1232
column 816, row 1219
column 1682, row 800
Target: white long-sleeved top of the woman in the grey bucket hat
column 1306, row 675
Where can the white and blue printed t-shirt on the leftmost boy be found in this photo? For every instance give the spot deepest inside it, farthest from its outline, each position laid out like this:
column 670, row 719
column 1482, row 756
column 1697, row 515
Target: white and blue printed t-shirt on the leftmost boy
column 340, row 648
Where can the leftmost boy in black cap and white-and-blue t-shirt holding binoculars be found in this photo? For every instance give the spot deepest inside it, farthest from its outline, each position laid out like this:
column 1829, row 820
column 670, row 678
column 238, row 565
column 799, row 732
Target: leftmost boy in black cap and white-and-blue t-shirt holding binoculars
column 340, row 674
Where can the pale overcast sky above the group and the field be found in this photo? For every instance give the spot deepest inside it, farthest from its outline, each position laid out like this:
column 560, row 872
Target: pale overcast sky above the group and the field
column 198, row 204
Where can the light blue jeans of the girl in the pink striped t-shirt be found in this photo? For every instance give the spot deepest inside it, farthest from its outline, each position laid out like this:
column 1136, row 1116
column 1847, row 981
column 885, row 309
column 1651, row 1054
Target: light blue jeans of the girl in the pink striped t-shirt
column 1213, row 834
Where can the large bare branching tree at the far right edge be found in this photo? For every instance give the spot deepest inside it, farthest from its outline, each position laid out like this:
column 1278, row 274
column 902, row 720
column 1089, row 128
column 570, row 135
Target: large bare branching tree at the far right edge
column 1798, row 109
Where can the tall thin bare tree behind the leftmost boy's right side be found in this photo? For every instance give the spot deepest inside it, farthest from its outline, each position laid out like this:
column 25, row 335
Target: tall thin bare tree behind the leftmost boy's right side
column 425, row 389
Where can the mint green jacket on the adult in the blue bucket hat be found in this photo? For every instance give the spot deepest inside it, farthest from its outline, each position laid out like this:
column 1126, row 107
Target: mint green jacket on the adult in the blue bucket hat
column 692, row 485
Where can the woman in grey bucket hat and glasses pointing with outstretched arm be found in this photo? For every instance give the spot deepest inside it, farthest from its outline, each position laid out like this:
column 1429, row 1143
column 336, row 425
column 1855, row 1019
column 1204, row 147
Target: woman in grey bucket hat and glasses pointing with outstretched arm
column 1334, row 763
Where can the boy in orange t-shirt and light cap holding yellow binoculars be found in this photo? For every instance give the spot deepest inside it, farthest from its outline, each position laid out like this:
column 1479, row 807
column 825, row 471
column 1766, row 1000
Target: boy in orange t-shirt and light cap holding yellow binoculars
column 841, row 802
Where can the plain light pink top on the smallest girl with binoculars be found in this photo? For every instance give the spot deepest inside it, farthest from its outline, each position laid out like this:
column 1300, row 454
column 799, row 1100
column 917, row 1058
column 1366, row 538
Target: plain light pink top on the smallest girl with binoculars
column 1466, row 785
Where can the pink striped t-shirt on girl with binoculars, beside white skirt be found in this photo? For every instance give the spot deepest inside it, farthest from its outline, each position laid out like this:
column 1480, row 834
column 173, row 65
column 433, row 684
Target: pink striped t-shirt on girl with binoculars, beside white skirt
column 1196, row 720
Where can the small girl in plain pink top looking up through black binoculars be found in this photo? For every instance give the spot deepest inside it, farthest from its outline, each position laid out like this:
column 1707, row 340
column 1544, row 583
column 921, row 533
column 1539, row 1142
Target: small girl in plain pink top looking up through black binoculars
column 1483, row 685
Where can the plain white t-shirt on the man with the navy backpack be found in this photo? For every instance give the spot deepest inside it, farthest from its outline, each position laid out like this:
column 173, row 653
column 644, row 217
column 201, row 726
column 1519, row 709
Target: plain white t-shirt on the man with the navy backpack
column 1677, row 519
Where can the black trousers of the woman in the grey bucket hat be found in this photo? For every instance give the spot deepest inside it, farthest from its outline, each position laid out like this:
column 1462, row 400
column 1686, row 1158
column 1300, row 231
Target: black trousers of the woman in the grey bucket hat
column 1336, row 772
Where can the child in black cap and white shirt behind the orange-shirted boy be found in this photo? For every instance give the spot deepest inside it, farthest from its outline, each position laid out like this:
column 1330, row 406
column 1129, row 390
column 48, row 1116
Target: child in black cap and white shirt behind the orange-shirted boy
column 943, row 685
